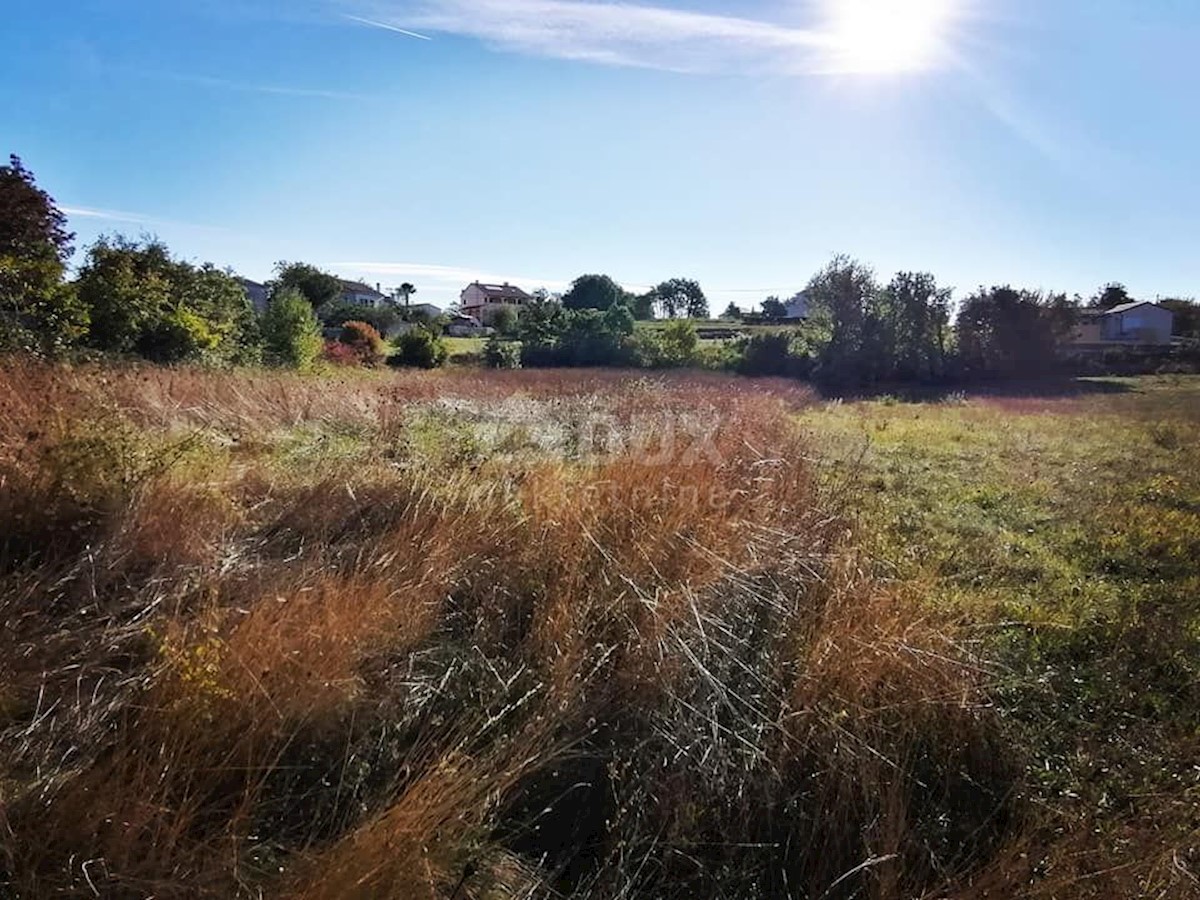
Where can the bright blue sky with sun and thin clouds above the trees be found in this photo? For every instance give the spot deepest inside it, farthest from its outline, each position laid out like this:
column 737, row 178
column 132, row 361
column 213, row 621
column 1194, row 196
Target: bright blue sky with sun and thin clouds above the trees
column 1043, row 143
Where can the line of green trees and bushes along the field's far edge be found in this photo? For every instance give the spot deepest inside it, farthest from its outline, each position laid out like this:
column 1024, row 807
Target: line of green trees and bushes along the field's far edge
column 134, row 298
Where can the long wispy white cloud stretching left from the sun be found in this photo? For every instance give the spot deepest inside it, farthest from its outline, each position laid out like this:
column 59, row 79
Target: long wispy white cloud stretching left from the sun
column 611, row 33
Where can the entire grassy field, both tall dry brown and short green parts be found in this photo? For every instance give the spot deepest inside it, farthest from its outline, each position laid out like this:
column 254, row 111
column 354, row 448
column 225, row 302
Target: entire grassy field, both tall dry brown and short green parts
column 569, row 634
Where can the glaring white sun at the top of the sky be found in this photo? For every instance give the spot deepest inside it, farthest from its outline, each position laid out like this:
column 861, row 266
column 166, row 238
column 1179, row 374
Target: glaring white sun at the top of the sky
column 890, row 37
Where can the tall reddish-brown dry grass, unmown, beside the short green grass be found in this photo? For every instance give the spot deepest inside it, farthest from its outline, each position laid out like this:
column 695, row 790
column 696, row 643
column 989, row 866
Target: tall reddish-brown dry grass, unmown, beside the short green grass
column 638, row 661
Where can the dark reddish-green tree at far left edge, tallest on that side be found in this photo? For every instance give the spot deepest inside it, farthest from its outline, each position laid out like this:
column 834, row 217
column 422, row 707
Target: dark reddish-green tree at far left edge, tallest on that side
column 38, row 311
